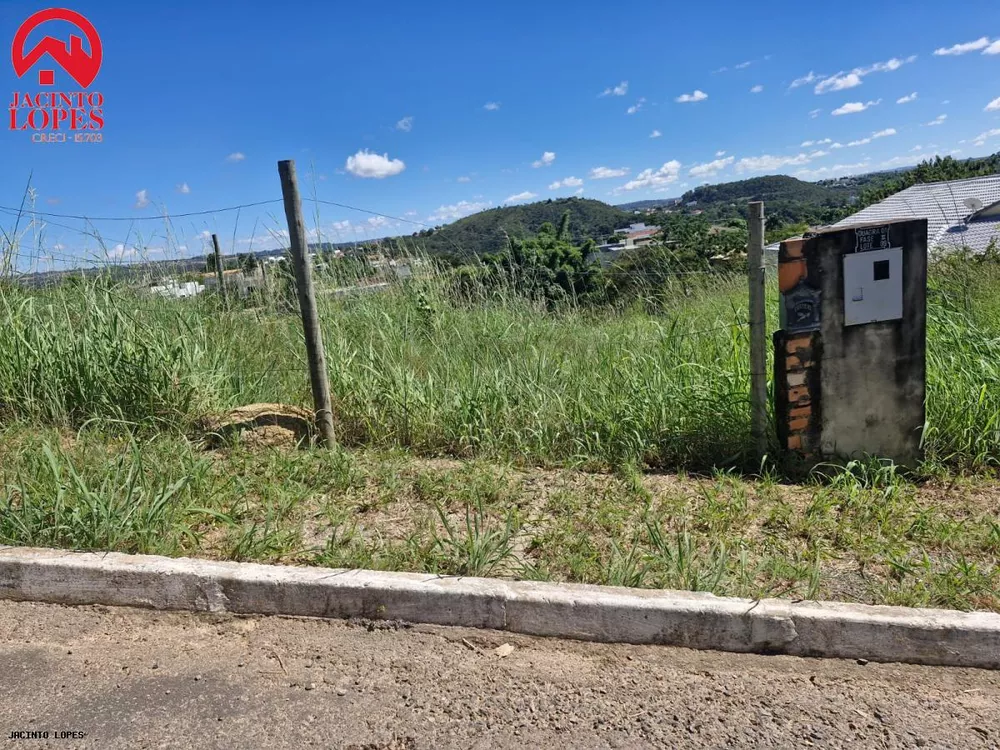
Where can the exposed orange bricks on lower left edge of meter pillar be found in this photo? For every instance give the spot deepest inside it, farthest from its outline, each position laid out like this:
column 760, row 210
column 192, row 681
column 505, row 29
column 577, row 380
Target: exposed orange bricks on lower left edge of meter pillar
column 797, row 391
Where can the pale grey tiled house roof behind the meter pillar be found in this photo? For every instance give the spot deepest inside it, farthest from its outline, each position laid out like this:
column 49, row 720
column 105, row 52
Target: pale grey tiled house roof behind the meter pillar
column 943, row 205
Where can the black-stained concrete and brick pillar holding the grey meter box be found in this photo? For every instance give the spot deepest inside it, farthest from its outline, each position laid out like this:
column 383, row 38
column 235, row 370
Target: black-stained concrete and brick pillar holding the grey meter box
column 850, row 360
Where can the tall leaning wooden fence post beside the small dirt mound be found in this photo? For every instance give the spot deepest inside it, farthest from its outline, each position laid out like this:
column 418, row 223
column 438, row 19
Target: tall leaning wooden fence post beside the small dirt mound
column 307, row 301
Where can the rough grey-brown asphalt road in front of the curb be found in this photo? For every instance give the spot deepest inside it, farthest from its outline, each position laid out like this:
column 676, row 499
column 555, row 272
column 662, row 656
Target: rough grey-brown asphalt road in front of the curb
column 126, row 678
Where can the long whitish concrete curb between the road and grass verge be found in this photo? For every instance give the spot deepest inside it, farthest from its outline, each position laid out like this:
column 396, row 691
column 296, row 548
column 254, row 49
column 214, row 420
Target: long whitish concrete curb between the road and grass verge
column 596, row 613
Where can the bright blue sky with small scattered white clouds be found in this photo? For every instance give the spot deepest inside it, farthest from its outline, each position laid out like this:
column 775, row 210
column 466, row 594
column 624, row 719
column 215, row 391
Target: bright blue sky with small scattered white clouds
column 430, row 111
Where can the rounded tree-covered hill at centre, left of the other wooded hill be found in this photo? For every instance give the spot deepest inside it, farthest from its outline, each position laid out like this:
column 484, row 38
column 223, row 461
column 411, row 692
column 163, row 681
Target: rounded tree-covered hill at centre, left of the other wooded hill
column 486, row 232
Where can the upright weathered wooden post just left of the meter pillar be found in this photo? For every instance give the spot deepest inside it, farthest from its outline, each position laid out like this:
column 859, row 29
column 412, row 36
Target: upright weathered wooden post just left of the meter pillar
column 758, row 330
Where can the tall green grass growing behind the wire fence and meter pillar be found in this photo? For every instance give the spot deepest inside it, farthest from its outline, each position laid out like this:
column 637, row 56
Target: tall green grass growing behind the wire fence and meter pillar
column 503, row 376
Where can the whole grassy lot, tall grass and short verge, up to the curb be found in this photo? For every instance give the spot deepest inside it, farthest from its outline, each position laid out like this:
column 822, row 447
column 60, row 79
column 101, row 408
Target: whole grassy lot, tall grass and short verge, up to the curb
column 494, row 437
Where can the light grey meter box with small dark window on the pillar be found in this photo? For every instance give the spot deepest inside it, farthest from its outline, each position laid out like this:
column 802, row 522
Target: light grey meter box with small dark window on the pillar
column 873, row 286
